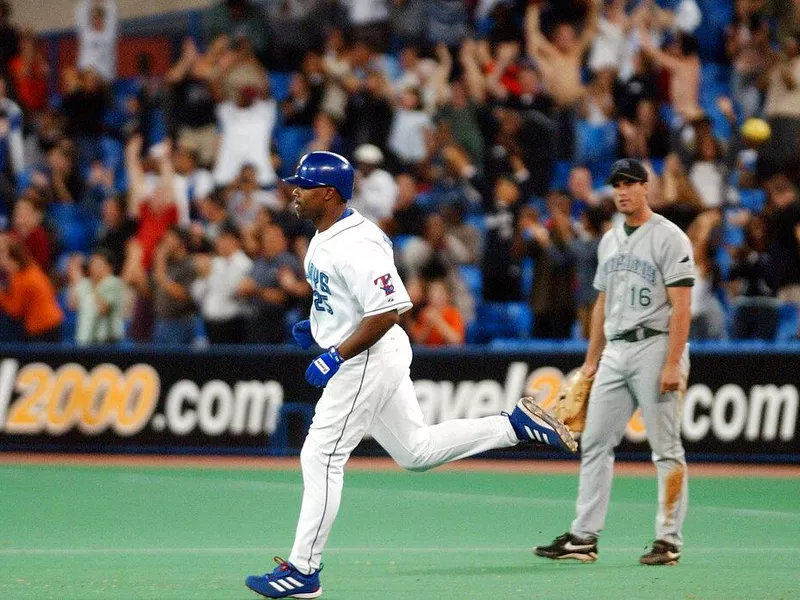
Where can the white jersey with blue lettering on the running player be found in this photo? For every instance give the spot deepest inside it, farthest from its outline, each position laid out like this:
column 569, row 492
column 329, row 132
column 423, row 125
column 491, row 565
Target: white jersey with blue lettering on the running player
column 350, row 267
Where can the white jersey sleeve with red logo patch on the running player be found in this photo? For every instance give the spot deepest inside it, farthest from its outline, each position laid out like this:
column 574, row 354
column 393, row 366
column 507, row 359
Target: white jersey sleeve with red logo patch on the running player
column 373, row 280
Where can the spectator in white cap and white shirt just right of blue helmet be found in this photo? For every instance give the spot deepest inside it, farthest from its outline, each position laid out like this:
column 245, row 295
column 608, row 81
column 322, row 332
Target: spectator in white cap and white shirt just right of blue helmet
column 375, row 190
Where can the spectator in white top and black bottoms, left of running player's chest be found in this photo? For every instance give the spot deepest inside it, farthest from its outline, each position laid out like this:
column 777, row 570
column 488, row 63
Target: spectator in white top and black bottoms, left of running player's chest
column 217, row 289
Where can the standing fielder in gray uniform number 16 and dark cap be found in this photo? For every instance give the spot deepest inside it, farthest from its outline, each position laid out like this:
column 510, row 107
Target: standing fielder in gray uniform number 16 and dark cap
column 639, row 356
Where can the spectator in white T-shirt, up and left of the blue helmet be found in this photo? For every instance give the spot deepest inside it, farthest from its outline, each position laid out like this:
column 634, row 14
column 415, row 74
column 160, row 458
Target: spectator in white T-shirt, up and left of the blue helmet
column 246, row 134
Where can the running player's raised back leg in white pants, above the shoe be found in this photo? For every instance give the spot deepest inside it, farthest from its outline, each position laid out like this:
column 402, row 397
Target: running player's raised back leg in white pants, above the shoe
column 400, row 429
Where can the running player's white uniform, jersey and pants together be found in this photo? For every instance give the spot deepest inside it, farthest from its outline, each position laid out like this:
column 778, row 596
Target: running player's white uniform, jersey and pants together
column 350, row 267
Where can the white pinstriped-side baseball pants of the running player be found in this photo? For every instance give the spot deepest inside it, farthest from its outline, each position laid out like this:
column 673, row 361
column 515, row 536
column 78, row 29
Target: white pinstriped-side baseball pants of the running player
column 373, row 392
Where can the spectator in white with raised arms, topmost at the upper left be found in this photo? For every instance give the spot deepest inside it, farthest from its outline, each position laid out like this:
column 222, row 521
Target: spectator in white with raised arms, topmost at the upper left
column 96, row 21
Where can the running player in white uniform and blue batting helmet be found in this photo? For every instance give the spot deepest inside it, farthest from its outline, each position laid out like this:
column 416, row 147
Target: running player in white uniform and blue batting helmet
column 357, row 298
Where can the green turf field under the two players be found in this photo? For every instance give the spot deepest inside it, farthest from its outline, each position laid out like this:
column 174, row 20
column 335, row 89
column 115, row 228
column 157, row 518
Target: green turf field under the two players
column 113, row 532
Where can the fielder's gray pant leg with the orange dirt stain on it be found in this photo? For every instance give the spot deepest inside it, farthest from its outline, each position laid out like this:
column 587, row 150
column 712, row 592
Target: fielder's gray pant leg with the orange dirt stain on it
column 662, row 419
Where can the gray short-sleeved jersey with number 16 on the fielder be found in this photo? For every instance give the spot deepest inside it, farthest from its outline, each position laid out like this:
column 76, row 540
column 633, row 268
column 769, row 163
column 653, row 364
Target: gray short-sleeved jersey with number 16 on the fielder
column 635, row 270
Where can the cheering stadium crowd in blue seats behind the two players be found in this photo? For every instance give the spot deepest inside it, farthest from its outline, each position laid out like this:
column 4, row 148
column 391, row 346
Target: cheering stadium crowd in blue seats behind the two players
column 150, row 209
